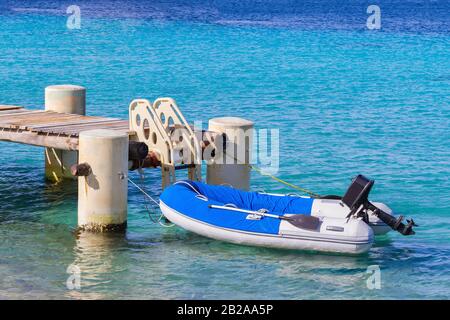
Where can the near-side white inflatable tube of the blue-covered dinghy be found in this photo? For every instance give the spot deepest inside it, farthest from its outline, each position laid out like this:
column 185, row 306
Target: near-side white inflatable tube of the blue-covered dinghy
column 335, row 235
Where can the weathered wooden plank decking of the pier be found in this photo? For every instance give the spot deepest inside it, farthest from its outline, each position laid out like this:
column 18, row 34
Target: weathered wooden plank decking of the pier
column 51, row 129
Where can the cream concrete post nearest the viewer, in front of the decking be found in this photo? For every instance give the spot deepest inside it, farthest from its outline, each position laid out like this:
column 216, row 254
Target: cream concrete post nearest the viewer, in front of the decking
column 103, row 194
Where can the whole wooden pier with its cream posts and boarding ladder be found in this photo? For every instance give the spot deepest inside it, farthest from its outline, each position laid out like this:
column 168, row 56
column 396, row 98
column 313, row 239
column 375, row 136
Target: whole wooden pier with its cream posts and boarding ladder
column 99, row 151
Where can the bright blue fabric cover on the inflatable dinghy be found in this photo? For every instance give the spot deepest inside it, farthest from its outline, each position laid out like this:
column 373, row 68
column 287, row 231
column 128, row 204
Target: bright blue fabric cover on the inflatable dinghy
column 184, row 199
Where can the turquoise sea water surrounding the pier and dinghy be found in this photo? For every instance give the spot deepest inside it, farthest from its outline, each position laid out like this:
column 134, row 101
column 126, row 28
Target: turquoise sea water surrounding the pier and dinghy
column 346, row 100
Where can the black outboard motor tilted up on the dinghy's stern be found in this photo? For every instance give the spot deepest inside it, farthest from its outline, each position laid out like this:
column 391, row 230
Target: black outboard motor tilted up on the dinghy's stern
column 357, row 199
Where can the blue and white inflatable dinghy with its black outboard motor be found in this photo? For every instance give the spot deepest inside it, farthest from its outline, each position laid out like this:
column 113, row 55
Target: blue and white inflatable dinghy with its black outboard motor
column 279, row 221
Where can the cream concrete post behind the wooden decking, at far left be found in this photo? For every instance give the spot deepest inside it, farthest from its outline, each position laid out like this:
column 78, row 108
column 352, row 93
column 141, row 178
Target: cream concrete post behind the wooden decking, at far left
column 63, row 99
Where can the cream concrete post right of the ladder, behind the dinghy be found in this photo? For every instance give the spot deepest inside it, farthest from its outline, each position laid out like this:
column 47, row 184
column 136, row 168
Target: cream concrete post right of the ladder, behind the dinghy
column 232, row 168
